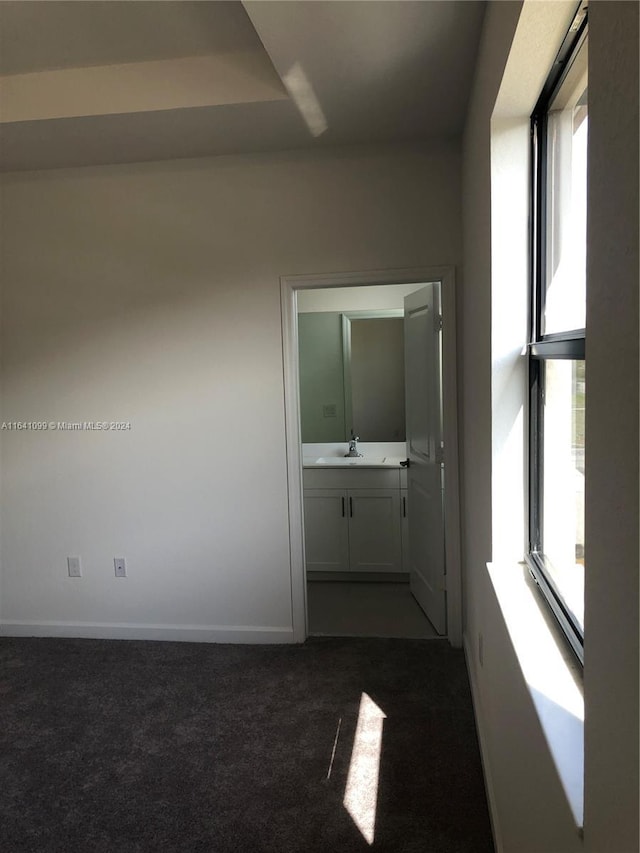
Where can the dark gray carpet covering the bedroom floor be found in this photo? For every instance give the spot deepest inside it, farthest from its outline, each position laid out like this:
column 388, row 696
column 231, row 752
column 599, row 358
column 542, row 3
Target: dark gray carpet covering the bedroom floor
column 115, row 747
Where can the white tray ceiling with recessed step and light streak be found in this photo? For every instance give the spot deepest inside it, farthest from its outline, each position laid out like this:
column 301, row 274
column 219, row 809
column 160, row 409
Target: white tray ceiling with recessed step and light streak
column 105, row 82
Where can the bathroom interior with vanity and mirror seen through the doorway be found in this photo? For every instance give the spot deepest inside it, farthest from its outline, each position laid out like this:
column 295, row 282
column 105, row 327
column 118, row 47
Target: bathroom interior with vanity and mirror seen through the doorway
column 351, row 358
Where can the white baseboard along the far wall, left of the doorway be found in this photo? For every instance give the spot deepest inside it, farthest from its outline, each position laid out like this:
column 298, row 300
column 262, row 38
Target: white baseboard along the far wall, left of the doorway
column 127, row 631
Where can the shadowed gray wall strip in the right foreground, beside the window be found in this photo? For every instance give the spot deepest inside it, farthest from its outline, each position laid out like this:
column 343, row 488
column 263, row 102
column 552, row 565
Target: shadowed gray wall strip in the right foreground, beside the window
column 611, row 617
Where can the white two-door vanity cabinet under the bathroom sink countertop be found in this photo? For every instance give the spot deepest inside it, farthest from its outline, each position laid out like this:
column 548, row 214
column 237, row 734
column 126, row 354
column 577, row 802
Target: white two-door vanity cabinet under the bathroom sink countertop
column 355, row 526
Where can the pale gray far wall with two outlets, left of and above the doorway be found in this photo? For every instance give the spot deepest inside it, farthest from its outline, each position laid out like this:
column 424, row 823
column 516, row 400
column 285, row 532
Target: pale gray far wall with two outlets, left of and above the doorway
column 151, row 293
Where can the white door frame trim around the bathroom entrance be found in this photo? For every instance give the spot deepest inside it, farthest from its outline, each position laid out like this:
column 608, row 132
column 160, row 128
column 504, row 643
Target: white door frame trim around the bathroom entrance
column 289, row 287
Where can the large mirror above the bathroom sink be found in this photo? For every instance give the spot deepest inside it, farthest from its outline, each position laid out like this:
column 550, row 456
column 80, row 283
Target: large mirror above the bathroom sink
column 351, row 375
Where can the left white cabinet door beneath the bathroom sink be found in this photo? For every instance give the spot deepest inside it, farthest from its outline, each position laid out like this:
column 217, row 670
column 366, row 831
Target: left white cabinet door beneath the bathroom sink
column 326, row 530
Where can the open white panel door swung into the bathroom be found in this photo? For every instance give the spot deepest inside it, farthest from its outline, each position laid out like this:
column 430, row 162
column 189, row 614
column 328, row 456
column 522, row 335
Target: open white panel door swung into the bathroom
column 423, row 388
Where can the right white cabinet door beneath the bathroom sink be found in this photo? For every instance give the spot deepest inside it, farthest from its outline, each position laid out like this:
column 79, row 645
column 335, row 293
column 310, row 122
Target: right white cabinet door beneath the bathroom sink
column 374, row 530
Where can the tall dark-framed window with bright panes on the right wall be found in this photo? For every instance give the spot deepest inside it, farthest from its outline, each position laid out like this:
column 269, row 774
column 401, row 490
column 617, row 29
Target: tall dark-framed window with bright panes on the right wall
column 557, row 345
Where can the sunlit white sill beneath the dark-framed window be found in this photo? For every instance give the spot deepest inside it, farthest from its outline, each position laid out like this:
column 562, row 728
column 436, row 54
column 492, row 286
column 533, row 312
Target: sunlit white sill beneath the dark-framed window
column 552, row 675
